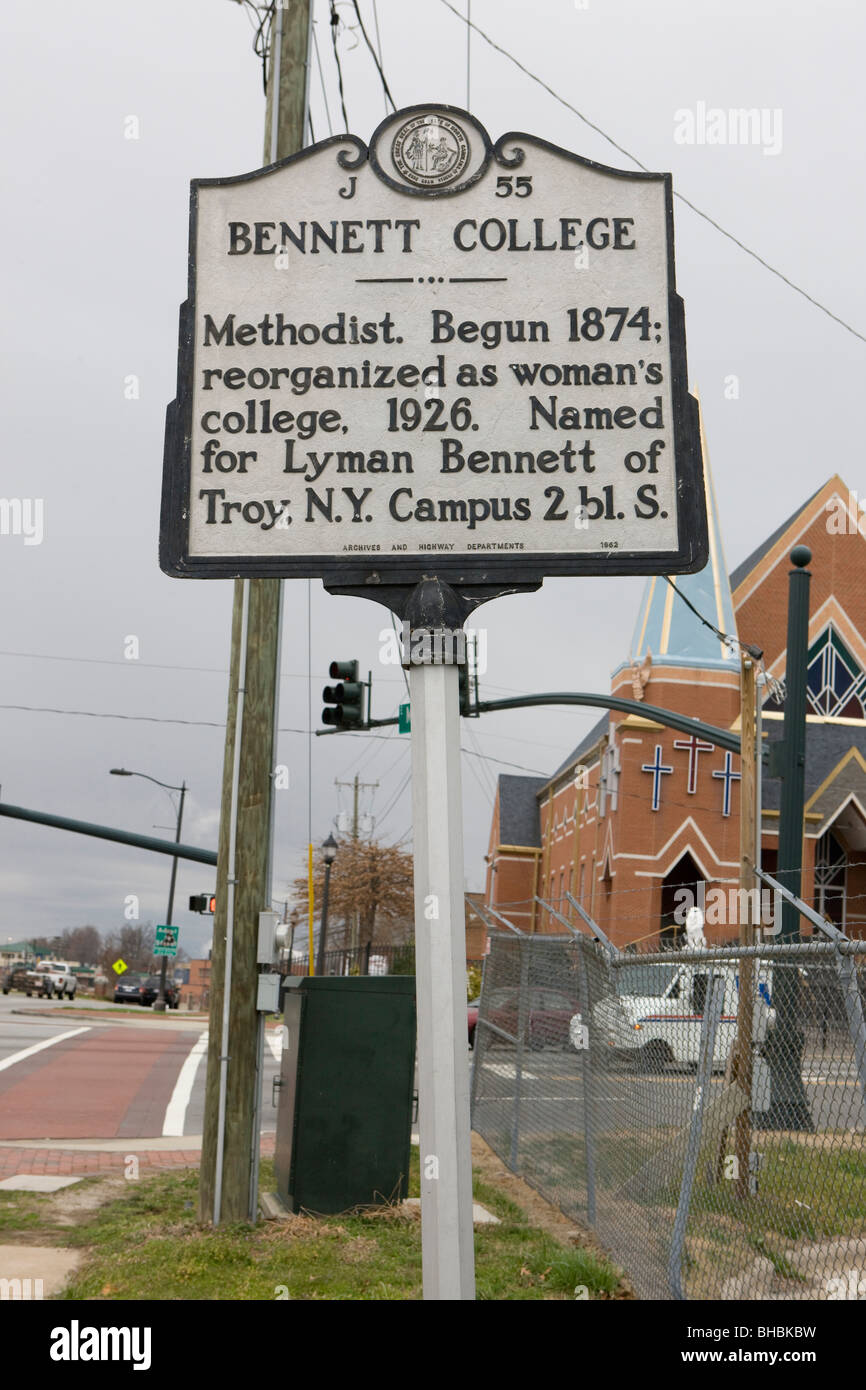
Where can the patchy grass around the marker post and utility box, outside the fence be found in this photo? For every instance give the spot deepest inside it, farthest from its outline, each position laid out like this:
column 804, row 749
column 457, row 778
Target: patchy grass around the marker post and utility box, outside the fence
column 148, row 1243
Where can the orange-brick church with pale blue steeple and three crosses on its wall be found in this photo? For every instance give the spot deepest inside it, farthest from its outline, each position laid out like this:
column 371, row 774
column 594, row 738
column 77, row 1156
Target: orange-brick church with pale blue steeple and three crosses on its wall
column 640, row 811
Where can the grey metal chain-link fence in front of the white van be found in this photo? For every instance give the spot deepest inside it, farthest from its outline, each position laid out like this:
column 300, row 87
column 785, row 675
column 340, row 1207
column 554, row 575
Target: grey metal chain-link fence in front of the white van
column 704, row 1110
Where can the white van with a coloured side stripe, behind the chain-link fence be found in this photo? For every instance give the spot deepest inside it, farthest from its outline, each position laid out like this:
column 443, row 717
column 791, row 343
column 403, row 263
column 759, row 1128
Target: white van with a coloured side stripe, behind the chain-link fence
column 658, row 1011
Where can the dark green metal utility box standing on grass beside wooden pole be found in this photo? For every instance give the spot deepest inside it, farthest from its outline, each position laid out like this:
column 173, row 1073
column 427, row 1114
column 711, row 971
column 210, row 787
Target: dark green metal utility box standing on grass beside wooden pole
column 347, row 1089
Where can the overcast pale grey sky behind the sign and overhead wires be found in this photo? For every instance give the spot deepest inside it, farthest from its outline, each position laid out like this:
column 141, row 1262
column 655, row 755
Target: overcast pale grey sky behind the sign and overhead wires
column 95, row 269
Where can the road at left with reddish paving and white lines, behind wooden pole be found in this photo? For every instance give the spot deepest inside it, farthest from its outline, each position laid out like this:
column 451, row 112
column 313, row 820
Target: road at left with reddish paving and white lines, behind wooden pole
column 105, row 1077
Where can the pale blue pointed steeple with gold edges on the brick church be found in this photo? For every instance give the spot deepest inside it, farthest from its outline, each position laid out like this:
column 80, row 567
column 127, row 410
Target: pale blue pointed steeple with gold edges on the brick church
column 667, row 626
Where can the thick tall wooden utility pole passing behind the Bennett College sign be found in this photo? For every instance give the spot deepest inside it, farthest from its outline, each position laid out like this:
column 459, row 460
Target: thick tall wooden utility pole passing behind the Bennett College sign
column 230, row 1146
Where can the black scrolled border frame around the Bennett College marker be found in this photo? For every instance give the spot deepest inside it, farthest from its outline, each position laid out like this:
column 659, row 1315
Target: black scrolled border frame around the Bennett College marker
column 479, row 572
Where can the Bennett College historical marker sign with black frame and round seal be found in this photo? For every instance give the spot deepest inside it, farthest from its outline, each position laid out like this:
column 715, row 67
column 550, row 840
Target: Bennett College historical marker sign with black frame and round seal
column 433, row 355
